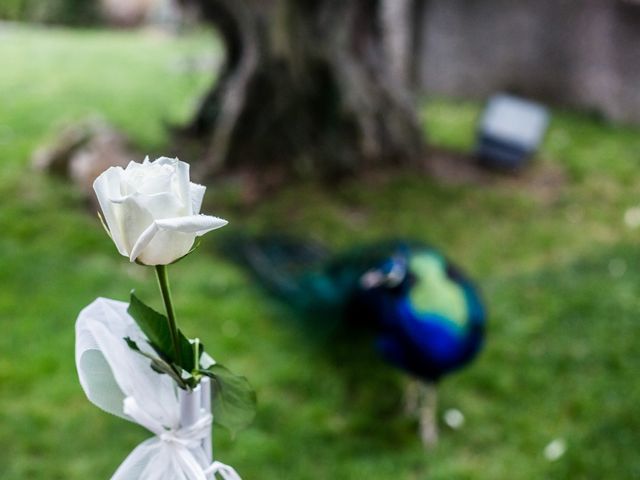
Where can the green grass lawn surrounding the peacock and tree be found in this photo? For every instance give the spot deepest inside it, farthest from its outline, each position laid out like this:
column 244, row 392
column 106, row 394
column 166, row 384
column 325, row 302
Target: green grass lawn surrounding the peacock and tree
column 558, row 265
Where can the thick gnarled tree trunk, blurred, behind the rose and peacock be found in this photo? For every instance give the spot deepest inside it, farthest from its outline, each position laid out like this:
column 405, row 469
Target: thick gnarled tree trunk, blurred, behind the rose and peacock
column 310, row 87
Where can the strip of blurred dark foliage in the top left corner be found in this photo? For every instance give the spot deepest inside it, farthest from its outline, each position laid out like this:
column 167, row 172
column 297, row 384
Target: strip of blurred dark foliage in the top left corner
column 64, row 12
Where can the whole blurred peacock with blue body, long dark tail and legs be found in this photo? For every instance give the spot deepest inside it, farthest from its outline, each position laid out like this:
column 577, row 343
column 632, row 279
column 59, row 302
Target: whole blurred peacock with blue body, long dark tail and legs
column 426, row 315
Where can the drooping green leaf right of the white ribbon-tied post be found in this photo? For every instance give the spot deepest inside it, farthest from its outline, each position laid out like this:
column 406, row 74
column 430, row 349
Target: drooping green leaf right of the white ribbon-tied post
column 233, row 400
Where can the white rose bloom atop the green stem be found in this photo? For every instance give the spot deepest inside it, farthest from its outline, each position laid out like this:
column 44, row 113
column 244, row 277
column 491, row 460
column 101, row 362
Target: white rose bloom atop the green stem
column 152, row 210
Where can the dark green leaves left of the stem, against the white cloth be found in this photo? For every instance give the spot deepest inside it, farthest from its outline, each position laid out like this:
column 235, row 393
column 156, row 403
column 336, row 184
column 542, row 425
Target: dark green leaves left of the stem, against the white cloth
column 156, row 327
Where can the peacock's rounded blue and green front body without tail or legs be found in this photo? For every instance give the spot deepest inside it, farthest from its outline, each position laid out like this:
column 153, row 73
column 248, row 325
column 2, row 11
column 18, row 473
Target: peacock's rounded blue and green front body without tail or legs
column 430, row 320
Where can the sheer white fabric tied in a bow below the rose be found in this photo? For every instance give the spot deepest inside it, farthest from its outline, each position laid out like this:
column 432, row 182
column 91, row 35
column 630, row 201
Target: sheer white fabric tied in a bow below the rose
column 121, row 382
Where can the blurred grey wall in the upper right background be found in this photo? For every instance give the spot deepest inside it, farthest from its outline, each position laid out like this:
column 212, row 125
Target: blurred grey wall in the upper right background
column 581, row 53
